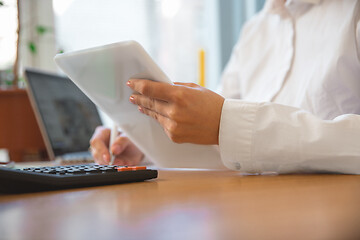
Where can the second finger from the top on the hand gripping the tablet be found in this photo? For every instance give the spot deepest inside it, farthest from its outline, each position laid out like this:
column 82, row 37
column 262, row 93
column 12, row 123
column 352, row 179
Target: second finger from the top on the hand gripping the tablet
column 155, row 105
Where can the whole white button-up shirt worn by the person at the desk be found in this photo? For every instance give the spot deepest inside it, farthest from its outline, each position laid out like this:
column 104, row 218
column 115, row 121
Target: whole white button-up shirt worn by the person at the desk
column 292, row 89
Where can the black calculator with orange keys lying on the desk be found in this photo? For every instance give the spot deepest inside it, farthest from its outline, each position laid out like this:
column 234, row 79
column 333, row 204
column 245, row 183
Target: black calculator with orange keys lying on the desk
column 63, row 177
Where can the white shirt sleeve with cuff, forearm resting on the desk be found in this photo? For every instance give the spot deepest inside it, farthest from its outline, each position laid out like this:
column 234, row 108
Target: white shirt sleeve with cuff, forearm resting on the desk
column 262, row 137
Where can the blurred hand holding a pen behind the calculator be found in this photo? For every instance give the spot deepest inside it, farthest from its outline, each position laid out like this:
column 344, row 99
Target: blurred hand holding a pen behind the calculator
column 126, row 153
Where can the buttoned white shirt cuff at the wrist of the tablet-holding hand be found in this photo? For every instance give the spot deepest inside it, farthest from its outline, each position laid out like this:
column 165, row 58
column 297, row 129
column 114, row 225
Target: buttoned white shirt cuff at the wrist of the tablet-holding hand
column 236, row 135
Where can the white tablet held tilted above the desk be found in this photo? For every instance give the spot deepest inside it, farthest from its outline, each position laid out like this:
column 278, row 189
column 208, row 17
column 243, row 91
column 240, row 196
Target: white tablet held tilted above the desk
column 102, row 72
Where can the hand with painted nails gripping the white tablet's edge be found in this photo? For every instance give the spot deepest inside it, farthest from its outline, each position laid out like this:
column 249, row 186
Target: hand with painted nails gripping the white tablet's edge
column 187, row 112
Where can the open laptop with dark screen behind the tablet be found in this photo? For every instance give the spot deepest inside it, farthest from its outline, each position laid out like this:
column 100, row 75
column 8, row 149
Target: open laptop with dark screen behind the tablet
column 66, row 116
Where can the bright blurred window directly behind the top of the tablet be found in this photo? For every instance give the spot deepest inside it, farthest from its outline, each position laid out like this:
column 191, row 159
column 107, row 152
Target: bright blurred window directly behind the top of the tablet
column 172, row 31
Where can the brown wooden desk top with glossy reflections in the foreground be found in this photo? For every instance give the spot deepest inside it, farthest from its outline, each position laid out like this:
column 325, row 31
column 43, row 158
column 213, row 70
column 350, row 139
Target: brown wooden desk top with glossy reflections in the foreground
column 192, row 205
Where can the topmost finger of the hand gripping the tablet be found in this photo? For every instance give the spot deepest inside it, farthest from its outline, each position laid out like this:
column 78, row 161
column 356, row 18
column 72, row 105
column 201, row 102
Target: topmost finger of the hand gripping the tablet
column 152, row 89
